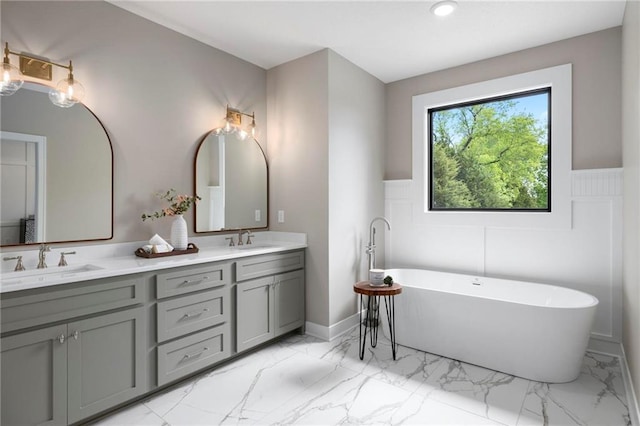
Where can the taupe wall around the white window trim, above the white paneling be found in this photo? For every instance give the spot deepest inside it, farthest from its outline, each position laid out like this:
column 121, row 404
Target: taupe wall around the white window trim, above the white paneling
column 596, row 60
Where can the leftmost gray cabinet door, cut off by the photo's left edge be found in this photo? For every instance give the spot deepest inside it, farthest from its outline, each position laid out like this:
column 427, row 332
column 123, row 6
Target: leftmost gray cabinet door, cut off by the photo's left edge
column 34, row 378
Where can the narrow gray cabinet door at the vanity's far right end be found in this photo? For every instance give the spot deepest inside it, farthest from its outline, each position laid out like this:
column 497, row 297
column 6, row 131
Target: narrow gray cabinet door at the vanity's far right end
column 289, row 294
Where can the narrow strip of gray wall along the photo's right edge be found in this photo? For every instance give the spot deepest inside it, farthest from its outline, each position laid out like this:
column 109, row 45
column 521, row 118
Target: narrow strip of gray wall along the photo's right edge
column 631, row 145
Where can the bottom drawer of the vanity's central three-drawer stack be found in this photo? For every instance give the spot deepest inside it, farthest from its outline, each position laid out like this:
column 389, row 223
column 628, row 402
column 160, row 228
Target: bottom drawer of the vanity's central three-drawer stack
column 187, row 355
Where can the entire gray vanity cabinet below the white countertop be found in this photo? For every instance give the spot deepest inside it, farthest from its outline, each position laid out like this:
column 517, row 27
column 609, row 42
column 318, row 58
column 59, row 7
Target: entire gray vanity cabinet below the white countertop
column 71, row 352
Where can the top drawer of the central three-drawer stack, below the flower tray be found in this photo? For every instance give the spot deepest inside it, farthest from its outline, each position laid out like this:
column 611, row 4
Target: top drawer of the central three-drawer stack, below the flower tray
column 192, row 279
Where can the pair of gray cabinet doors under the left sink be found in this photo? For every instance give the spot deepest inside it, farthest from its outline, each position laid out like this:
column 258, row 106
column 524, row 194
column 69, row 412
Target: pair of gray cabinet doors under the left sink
column 62, row 374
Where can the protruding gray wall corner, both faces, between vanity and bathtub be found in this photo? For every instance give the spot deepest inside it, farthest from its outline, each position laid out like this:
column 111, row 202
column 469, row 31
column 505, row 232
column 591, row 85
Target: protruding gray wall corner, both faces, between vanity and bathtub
column 326, row 127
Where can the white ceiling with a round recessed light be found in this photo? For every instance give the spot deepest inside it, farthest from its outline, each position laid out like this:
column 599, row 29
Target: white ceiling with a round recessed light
column 390, row 39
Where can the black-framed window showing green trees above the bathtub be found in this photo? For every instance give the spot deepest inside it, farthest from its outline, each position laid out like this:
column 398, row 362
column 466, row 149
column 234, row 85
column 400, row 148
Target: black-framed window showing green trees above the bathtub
column 492, row 154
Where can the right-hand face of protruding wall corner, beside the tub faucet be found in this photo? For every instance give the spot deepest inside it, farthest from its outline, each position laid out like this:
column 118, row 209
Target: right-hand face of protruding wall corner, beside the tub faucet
column 356, row 167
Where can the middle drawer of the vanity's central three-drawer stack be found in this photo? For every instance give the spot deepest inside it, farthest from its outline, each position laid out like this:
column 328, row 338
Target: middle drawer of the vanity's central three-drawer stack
column 186, row 314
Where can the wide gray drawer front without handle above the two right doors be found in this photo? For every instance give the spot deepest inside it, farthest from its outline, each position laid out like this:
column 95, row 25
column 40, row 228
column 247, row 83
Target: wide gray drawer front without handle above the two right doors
column 259, row 266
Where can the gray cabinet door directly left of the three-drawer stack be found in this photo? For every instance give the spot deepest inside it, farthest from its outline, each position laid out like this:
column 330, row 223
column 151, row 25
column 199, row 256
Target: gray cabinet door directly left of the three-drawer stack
column 105, row 362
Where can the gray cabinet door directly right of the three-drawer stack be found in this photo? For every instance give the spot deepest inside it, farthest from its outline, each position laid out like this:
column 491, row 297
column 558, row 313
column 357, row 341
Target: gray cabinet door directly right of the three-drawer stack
column 254, row 313
